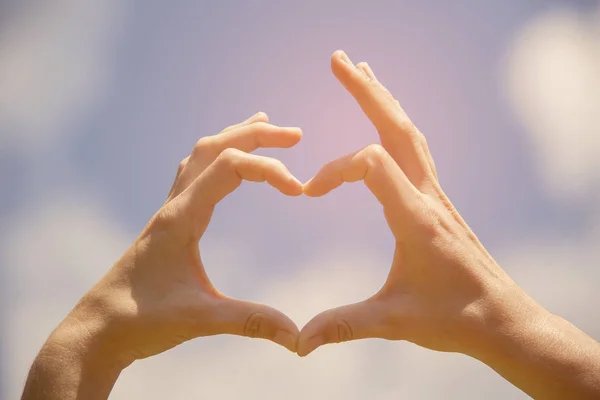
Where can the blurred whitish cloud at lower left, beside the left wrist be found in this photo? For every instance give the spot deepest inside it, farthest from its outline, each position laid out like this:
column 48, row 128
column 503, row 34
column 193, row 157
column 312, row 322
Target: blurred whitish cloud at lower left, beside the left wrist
column 53, row 251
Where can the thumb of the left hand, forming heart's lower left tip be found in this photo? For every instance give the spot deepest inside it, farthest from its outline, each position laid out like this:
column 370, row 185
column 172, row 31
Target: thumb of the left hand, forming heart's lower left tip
column 244, row 318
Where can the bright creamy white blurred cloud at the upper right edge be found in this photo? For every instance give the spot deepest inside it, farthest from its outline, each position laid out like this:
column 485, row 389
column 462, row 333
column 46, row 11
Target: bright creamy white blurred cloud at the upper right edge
column 554, row 87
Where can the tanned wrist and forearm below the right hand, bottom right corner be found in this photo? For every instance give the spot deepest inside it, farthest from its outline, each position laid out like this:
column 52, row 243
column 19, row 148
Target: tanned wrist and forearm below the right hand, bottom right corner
column 546, row 357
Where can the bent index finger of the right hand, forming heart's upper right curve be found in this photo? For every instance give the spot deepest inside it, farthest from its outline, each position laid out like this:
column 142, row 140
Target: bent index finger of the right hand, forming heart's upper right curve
column 375, row 166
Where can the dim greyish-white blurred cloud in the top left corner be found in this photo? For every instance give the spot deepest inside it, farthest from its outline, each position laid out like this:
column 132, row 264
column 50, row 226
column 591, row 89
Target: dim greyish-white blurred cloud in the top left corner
column 54, row 64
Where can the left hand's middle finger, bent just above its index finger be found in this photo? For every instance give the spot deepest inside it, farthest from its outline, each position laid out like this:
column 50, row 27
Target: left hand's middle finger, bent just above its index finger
column 246, row 138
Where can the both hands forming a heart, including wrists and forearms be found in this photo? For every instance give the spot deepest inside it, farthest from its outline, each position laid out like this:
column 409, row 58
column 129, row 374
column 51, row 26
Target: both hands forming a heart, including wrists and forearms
column 444, row 290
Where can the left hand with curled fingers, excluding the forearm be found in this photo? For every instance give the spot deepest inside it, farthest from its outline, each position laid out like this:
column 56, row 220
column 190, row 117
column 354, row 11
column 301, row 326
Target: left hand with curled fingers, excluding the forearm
column 158, row 294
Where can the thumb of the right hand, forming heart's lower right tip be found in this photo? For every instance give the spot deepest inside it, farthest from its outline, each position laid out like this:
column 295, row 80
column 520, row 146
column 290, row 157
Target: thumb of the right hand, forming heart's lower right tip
column 351, row 322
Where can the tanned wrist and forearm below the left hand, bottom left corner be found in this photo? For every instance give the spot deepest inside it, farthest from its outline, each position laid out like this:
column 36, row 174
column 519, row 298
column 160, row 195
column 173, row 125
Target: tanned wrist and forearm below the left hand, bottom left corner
column 71, row 365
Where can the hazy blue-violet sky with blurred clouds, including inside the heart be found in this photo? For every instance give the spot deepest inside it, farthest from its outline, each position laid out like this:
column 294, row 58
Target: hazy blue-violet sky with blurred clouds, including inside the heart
column 100, row 101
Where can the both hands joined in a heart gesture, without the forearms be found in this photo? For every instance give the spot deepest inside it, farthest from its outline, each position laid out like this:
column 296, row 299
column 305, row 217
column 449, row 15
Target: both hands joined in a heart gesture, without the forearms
column 158, row 294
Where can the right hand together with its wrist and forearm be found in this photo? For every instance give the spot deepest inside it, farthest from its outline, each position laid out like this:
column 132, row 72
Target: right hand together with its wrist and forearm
column 444, row 290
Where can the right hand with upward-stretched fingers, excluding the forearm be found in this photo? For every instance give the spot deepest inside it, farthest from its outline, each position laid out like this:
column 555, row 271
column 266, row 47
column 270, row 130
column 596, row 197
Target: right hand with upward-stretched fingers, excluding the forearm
column 444, row 291
